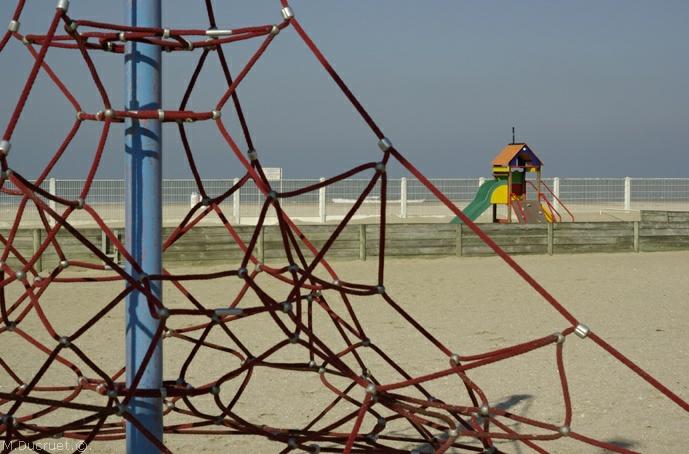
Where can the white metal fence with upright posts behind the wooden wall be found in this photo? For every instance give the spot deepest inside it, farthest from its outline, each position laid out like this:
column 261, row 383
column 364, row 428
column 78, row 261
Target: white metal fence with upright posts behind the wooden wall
column 406, row 198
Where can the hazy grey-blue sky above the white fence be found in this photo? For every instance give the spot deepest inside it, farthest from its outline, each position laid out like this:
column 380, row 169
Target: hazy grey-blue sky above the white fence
column 596, row 87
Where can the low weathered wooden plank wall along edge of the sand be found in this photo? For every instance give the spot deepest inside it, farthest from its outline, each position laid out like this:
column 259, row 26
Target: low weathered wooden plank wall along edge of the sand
column 657, row 231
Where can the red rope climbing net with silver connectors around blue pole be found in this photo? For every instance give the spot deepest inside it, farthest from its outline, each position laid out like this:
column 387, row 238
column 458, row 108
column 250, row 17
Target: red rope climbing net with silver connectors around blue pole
column 467, row 423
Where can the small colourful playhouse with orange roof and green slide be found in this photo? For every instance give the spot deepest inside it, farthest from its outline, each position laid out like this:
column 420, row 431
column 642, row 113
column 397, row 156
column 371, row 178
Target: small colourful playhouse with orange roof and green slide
column 513, row 189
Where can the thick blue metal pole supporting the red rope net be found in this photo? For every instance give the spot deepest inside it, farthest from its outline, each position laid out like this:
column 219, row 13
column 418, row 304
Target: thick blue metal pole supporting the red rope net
column 143, row 219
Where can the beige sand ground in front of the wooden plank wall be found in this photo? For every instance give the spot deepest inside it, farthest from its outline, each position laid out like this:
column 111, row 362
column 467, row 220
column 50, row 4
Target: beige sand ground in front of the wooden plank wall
column 637, row 302
